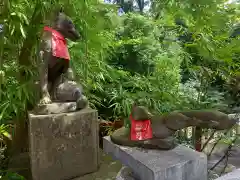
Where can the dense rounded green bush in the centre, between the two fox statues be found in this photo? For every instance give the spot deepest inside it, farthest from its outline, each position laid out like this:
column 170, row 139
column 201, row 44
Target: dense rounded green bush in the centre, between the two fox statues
column 124, row 74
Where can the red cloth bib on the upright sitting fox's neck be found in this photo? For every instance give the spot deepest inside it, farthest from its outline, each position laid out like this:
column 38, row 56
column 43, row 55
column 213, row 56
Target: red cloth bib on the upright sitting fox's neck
column 59, row 44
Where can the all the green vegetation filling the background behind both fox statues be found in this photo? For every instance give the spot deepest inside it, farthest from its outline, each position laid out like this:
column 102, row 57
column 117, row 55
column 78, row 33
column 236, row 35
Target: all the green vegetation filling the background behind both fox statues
column 167, row 54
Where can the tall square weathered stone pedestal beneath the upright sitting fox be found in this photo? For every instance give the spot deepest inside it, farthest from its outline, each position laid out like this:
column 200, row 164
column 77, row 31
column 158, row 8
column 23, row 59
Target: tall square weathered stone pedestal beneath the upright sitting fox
column 63, row 146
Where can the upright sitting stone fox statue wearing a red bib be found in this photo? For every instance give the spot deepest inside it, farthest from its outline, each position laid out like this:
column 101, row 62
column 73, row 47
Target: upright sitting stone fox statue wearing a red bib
column 55, row 59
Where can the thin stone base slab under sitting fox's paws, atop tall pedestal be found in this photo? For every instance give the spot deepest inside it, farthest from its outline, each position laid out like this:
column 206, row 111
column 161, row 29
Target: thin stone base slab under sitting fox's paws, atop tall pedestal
column 55, row 108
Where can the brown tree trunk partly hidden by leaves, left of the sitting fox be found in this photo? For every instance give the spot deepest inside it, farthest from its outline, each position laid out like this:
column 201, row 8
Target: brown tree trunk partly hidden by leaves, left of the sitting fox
column 20, row 138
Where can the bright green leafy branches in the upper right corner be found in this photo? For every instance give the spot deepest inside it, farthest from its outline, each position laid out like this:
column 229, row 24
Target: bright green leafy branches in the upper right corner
column 210, row 24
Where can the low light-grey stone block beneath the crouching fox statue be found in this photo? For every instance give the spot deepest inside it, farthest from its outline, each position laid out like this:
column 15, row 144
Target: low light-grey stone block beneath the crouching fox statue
column 180, row 163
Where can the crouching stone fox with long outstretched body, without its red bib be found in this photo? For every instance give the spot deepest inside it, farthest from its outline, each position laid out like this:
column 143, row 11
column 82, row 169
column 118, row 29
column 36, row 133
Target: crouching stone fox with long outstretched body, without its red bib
column 164, row 127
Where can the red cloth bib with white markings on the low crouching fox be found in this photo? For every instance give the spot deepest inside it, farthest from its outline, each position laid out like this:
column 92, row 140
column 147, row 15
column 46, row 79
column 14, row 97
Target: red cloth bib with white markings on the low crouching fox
column 140, row 130
